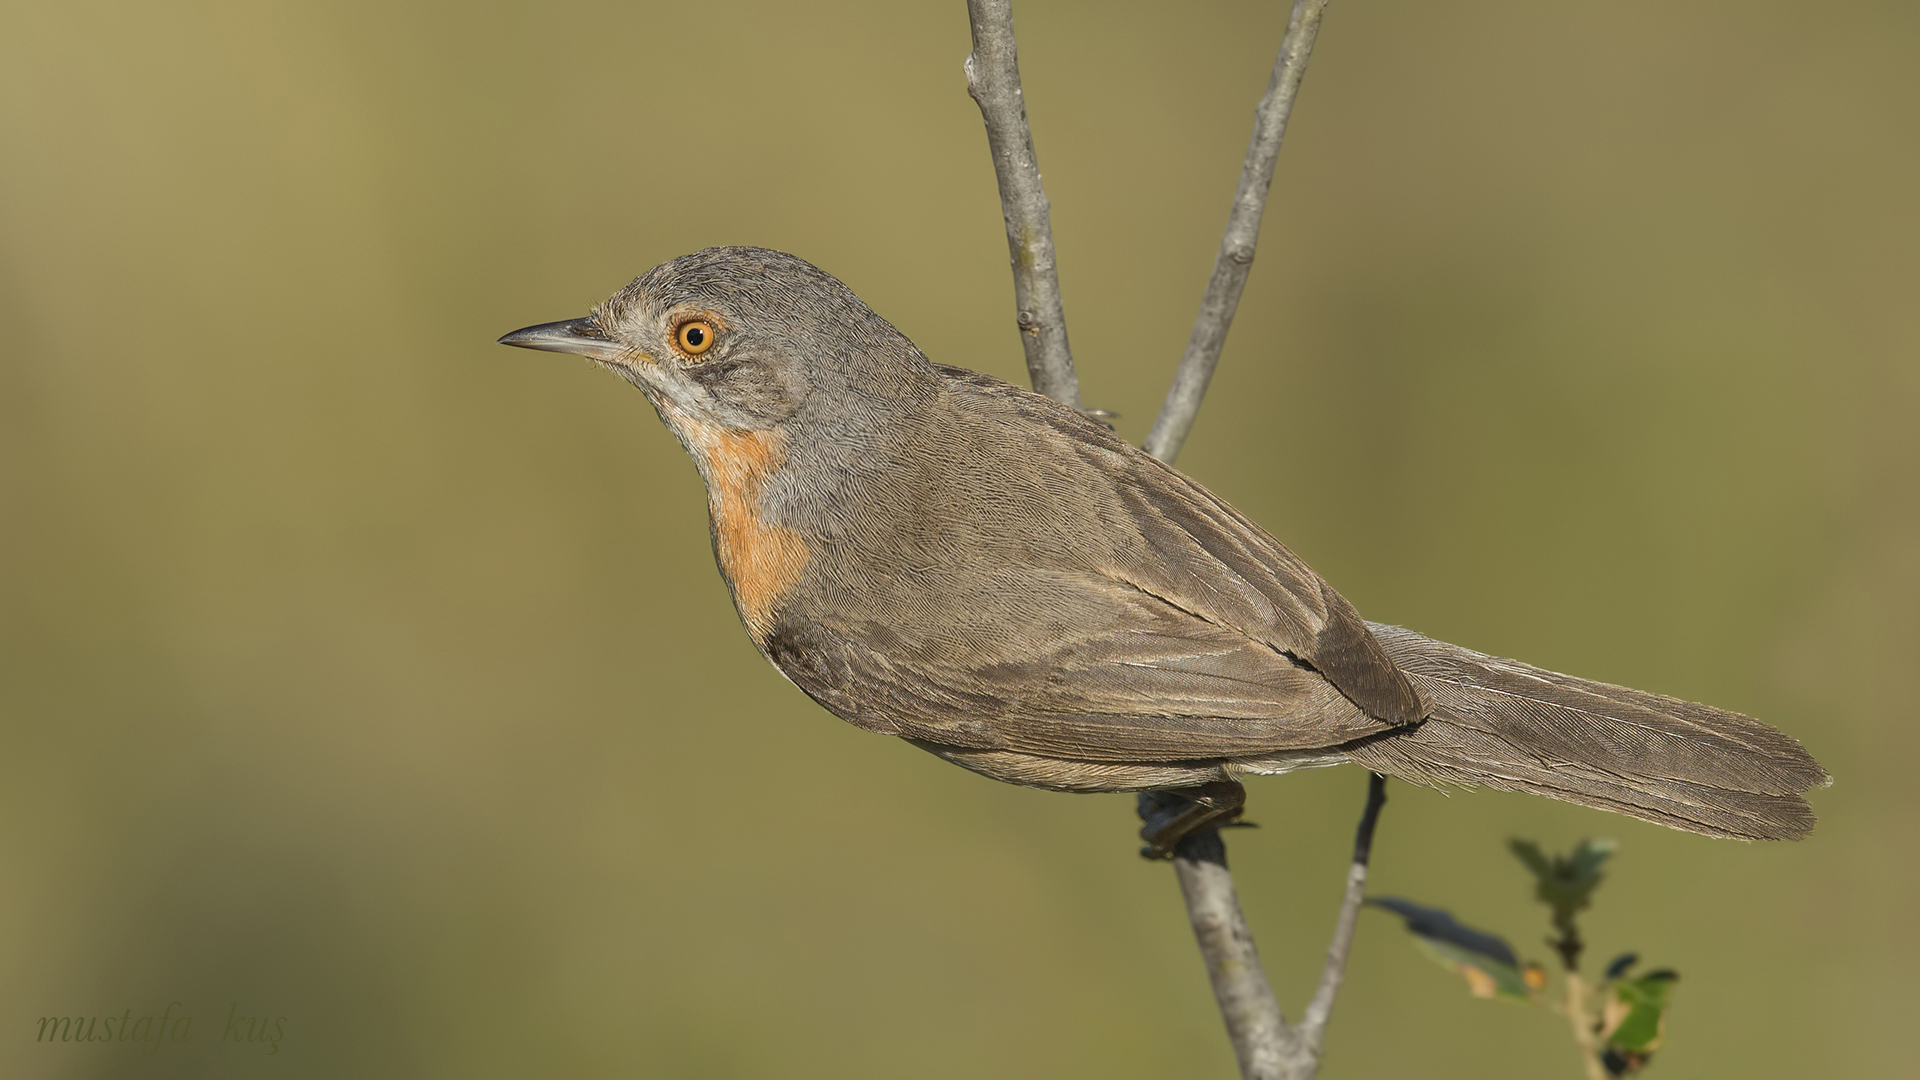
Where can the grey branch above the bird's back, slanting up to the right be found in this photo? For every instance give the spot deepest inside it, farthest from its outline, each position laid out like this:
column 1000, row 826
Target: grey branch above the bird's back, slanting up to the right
column 1243, row 232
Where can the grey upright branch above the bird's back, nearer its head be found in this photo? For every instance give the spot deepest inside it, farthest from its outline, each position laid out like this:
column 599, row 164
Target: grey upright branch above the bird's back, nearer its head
column 994, row 82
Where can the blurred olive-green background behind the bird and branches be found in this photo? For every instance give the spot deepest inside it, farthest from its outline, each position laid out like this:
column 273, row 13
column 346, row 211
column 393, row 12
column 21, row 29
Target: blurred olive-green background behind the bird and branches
column 362, row 672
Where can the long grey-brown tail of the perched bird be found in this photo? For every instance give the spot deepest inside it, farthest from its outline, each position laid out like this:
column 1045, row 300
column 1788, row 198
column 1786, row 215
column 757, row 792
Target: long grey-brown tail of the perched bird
column 1514, row 727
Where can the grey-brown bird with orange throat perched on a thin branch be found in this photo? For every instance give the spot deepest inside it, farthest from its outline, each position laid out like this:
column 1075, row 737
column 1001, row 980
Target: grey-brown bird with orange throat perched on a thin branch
column 1003, row 581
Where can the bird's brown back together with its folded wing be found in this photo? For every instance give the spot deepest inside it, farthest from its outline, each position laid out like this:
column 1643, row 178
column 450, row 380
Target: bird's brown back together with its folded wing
column 1136, row 618
